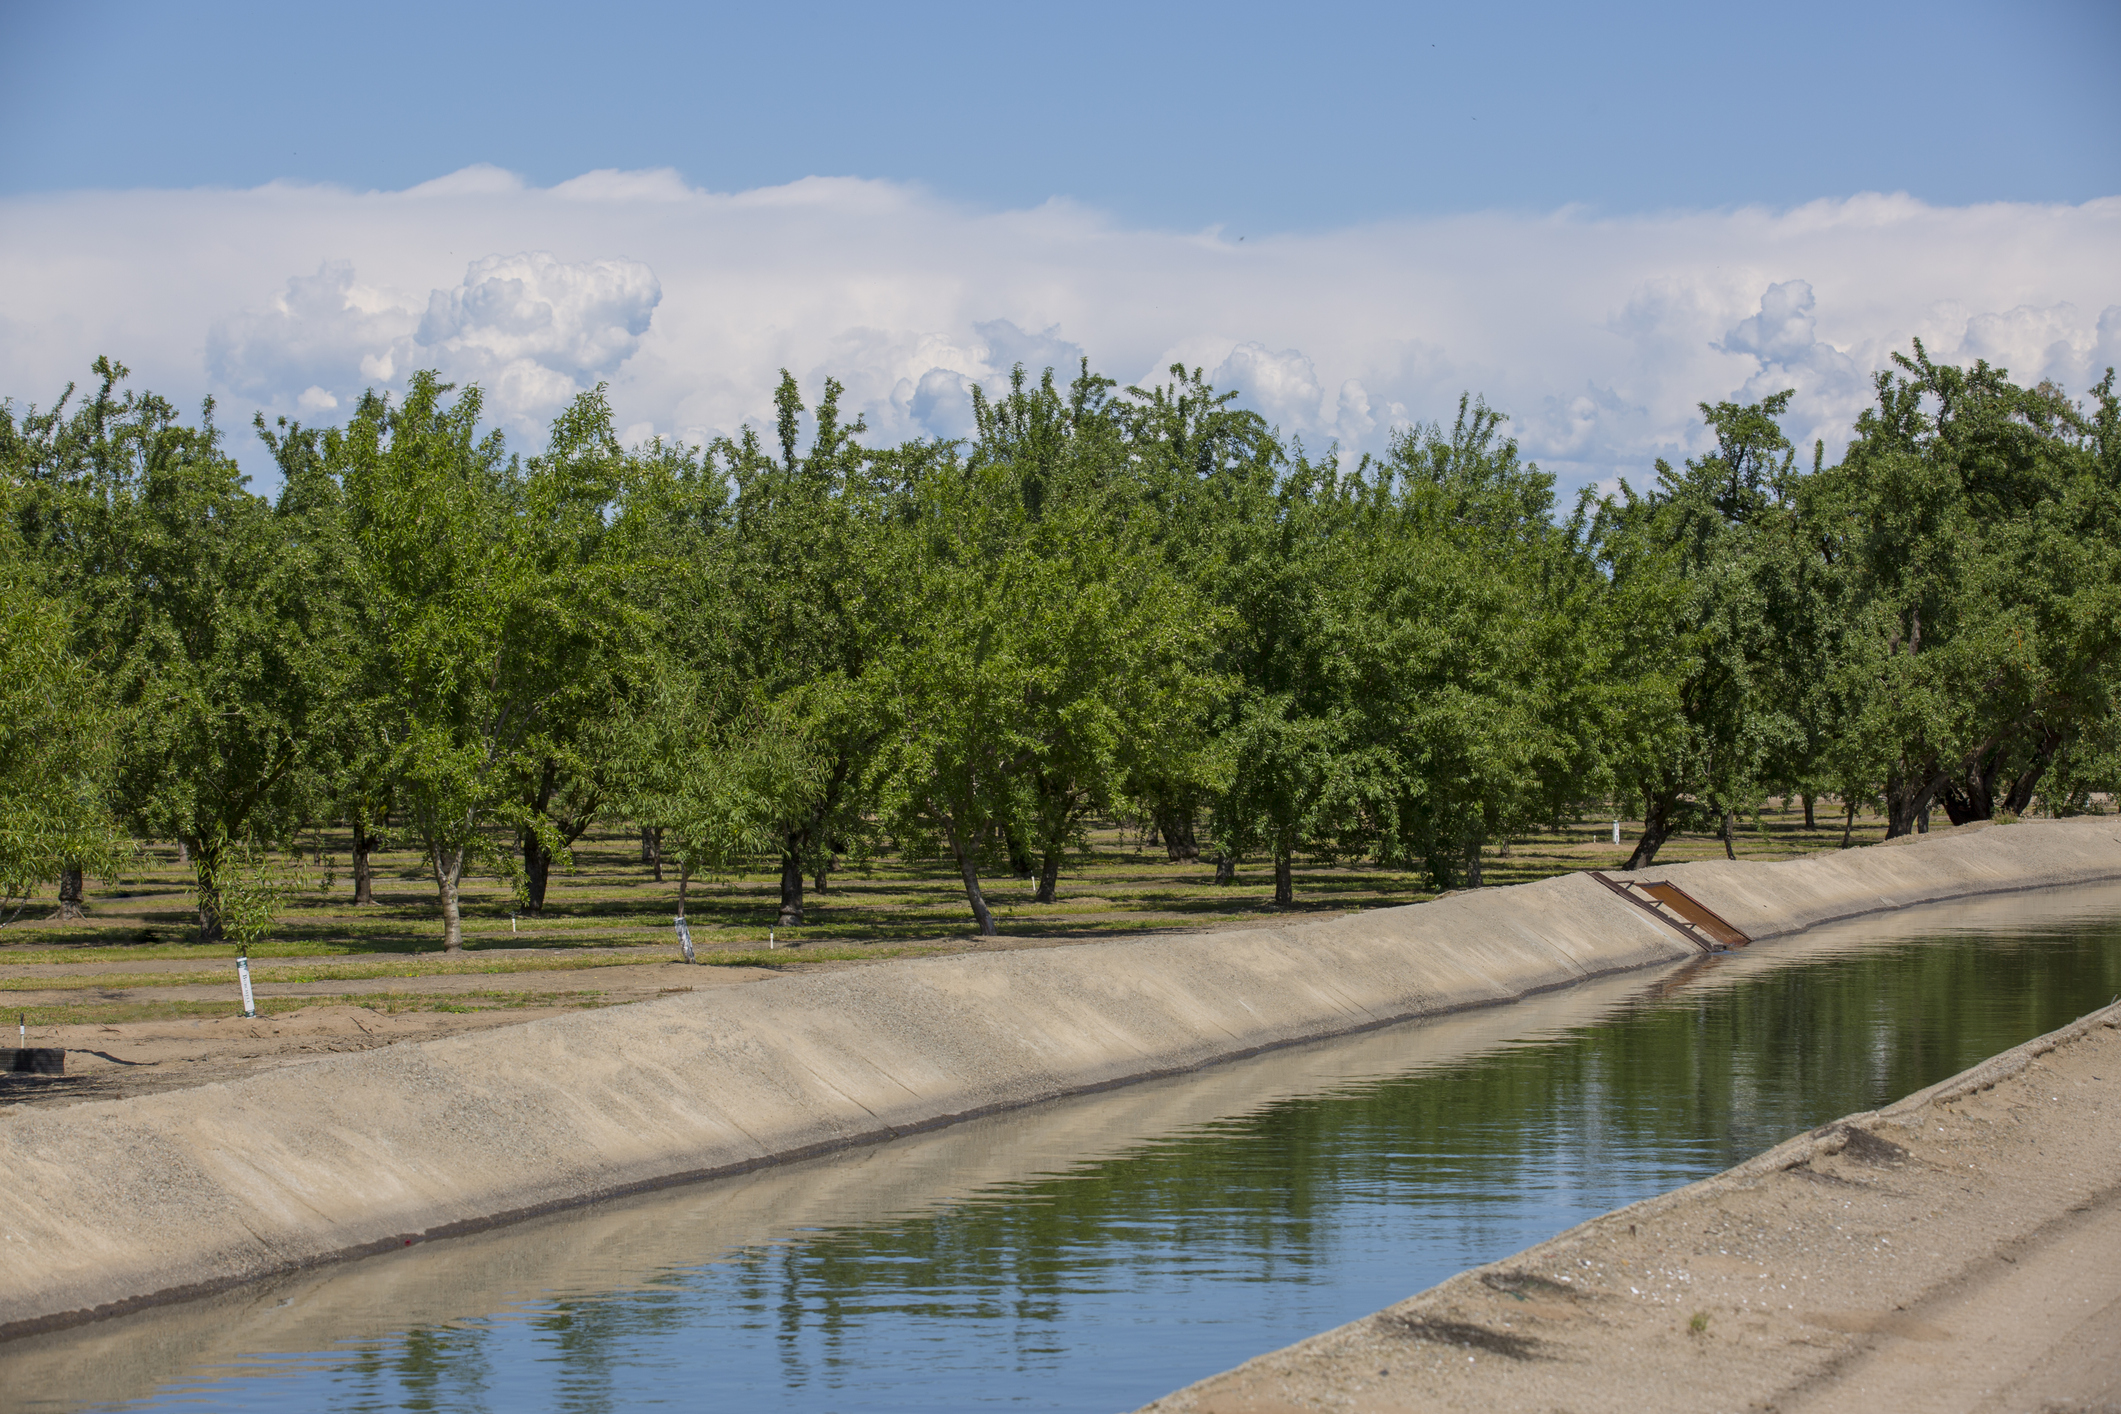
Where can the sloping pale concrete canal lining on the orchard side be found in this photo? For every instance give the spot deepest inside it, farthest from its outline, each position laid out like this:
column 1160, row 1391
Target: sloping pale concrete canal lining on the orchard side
column 124, row 1203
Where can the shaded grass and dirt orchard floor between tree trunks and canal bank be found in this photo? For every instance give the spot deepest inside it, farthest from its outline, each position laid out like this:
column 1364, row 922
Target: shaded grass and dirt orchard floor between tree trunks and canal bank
column 141, row 1008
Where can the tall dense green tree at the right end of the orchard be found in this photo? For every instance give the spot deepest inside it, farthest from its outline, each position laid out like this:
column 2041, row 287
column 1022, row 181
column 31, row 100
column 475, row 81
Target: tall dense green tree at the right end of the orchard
column 1980, row 523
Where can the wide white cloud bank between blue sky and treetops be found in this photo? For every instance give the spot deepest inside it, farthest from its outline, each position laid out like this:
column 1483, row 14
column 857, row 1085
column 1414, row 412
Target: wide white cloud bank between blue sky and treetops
column 1596, row 334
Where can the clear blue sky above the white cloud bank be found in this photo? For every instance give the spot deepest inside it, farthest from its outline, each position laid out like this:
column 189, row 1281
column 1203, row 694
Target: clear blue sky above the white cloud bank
column 1259, row 116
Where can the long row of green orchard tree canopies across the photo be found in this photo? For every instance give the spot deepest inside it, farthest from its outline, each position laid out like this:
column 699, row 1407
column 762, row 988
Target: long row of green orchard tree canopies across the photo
column 1102, row 603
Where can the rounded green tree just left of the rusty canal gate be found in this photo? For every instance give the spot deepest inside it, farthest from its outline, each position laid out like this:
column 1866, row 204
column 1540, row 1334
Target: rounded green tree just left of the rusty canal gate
column 1482, row 665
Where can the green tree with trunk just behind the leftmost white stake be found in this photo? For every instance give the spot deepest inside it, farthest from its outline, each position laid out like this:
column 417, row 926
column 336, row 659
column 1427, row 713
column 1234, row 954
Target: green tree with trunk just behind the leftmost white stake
column 200, row 607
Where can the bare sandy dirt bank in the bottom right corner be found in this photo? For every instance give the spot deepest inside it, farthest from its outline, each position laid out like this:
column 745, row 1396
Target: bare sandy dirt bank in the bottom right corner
column 1957, row 1252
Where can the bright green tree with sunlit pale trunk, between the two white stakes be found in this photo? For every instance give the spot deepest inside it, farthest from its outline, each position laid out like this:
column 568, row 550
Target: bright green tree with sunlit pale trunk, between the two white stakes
column 497, row 620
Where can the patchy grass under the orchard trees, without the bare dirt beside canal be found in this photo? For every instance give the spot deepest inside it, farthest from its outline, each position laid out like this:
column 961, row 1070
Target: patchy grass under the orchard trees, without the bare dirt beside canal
column 610, row 906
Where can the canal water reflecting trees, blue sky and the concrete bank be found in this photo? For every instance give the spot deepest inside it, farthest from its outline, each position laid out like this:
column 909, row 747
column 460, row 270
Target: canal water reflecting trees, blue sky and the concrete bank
column 1102, row 1252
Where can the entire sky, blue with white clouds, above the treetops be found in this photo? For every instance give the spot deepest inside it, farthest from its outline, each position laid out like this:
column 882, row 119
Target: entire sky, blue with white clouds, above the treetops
column 1594, row 215
